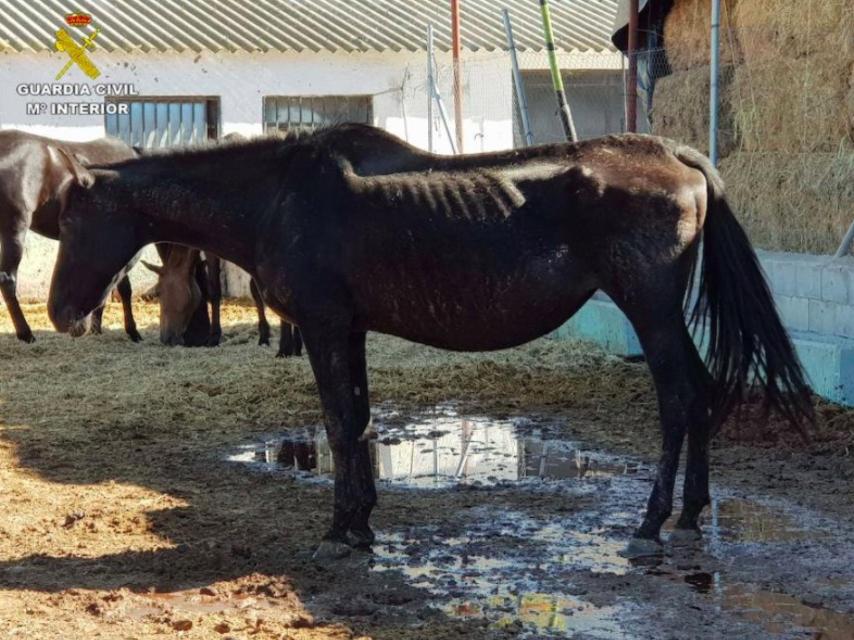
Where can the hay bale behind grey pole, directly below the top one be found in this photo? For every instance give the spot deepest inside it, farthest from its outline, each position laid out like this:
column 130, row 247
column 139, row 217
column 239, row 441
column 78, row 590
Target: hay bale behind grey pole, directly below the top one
column 681, row 110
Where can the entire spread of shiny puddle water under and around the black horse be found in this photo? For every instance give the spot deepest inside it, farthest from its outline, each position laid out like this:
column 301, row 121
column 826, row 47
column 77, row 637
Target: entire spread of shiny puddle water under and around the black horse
column 532, row 568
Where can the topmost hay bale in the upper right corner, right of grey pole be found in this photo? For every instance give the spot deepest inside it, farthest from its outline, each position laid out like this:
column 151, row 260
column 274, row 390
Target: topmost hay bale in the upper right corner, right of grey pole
column 768, row 29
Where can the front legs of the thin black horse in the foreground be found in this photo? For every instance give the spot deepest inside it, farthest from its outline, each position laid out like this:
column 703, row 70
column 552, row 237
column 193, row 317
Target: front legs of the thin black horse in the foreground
column 329, row 351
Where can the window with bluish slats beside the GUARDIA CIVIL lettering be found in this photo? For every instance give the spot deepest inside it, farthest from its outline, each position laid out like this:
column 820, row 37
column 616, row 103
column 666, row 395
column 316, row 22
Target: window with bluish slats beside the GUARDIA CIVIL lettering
column 155, row 122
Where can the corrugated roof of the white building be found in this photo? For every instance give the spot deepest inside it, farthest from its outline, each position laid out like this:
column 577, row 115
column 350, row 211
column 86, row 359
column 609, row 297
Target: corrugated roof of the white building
column 305, row 25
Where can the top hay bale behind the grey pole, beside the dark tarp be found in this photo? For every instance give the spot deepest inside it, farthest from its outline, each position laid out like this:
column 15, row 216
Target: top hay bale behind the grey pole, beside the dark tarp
column 686, row 34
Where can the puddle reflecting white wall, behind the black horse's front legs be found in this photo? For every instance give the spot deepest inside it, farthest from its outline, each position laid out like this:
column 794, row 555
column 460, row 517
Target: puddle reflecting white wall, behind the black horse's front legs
column 441, row 450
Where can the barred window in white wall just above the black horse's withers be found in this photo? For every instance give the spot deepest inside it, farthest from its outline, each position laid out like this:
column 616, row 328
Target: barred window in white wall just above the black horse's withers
column 287, row 113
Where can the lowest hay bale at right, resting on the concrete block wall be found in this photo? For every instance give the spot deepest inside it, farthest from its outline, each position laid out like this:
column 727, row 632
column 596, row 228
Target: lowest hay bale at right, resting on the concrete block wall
column 792, row 202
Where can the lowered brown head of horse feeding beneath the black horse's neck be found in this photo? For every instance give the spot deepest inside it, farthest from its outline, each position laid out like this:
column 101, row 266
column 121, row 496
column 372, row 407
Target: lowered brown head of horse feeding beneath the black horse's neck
column 180, row 295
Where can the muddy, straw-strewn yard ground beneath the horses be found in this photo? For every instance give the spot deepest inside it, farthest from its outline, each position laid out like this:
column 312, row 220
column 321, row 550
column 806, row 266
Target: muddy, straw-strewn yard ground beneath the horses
column 122, row 517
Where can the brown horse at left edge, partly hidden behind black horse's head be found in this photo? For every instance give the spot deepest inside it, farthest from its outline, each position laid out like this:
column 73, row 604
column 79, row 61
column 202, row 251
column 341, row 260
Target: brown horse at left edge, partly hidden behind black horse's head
column 34, row 181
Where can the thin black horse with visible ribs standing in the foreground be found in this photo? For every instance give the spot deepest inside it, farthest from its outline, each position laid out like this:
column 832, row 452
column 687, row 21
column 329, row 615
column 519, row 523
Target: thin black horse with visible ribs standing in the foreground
column 467, row 253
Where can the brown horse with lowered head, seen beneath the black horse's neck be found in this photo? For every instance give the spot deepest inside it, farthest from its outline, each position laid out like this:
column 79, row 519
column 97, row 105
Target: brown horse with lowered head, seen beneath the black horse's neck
column 187, row 283
